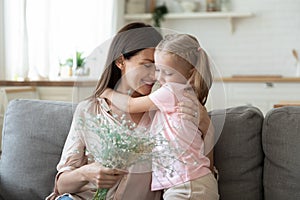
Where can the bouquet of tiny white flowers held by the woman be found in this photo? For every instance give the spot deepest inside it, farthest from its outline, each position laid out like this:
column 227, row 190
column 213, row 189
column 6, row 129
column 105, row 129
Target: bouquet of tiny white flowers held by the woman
column 119, row 144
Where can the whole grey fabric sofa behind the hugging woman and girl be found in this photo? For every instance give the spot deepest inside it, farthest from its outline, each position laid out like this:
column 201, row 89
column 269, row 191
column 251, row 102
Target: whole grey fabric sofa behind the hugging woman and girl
column 257, row 157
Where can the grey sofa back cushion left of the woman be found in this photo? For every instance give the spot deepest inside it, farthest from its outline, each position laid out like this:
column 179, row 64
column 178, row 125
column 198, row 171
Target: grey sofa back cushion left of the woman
column 33, row 137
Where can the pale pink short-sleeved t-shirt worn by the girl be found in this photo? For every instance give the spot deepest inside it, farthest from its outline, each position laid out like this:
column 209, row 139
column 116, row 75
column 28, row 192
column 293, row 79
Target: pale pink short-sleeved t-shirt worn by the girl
column 191, row 162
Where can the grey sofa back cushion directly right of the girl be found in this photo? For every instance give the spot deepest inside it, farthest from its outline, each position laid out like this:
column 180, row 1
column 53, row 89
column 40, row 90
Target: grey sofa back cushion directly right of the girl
column 238, row 152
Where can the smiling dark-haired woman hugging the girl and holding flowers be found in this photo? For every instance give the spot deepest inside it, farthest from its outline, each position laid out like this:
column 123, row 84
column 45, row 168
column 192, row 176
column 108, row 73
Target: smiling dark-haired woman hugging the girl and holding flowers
column 78, row 174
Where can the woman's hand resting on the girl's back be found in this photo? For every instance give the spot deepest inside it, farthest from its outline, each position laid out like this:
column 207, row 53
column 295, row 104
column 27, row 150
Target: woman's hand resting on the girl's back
column 195, row 112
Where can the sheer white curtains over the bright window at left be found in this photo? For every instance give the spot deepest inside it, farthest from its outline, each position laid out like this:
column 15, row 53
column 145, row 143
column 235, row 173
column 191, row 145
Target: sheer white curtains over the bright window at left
column 41, row 33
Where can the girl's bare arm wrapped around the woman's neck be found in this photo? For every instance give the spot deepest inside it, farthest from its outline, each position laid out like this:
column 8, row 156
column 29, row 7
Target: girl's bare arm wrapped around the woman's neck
column 127, row 103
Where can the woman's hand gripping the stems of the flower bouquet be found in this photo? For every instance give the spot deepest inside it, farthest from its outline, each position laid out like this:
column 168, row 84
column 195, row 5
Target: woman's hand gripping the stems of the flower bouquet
column 102, row 177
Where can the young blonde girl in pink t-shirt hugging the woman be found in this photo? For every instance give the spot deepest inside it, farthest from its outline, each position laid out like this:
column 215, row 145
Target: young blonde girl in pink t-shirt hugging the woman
column 181, row 66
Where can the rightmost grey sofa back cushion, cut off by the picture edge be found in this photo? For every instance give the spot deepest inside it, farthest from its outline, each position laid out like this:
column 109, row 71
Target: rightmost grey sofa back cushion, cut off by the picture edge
column 281, row 144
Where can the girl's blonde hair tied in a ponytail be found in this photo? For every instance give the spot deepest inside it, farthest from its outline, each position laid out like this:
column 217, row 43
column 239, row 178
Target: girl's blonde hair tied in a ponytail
column 186, row 48
